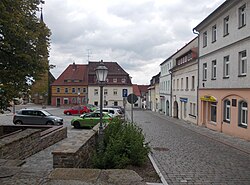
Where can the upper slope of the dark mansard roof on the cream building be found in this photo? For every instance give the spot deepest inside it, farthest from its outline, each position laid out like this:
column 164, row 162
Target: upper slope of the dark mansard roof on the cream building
column 113, row 68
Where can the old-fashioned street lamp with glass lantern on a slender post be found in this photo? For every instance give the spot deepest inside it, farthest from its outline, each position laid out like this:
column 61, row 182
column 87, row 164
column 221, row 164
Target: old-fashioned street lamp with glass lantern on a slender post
column 101, row 75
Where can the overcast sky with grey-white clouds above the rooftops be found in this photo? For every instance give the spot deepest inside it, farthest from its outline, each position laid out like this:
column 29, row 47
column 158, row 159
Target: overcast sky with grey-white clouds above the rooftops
column 138, row 34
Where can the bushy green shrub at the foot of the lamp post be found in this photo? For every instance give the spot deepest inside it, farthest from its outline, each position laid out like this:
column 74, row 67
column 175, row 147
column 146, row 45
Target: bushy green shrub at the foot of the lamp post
column 122, row 145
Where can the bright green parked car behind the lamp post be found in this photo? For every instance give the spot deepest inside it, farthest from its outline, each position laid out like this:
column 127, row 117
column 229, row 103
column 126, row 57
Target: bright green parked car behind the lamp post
column 90, row 119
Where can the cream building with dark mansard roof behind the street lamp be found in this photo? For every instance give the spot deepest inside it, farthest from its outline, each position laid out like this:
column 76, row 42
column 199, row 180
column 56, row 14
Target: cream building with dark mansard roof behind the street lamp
column 118, row 81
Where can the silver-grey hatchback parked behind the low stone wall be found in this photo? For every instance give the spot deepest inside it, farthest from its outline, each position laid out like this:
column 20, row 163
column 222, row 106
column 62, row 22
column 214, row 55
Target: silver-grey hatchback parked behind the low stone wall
column 36, row 117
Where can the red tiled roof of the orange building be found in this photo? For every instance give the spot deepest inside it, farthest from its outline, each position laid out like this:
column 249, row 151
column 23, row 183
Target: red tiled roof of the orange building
column 74, row 74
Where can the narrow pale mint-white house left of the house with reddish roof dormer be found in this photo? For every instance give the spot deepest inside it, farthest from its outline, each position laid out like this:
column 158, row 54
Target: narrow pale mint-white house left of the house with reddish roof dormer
column 165, row 87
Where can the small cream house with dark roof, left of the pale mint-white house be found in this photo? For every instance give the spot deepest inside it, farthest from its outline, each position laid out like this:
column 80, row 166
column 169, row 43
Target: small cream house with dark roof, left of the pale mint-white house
column 154, row 93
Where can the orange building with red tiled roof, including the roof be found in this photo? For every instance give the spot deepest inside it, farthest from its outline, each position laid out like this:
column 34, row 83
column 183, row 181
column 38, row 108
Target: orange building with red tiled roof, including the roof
column 71, row 87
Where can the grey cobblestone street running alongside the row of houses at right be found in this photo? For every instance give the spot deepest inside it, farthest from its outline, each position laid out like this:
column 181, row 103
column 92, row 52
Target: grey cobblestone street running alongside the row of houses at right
column 188, row 154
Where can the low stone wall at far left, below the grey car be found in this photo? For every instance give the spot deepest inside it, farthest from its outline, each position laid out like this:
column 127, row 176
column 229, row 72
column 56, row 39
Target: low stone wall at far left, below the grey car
column 28, row 142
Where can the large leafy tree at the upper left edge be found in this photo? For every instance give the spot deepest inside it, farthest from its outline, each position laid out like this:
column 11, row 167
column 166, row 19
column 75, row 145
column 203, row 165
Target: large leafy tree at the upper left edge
column 24, row 46
